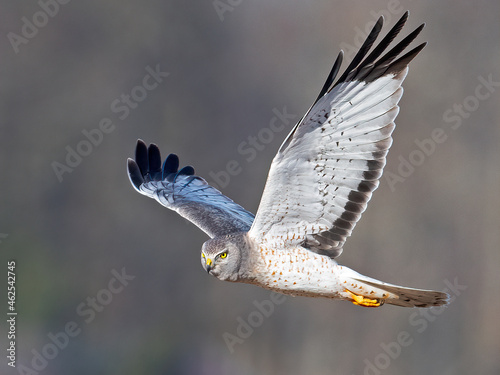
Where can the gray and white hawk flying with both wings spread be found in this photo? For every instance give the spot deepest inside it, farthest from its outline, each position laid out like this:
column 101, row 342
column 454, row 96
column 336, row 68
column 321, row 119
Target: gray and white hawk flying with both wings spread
column 318, row 185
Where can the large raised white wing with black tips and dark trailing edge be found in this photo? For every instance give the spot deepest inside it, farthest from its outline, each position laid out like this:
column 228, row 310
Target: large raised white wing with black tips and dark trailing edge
column 325, row 171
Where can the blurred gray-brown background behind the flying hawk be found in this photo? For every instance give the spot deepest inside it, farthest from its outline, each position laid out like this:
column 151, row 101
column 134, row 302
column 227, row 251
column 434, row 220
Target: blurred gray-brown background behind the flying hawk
column 110, row 282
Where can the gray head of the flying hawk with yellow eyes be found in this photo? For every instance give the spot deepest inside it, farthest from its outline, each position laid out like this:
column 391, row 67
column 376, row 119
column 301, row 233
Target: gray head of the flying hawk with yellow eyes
column 221, row 258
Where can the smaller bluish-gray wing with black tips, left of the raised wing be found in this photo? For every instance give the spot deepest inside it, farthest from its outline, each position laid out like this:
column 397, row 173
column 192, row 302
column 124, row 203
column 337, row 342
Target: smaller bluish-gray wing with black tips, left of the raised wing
column 189, row 195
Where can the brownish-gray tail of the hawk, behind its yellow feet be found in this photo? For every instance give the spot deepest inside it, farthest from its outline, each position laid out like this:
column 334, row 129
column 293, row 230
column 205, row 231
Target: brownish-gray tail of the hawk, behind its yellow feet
column 405, row 297
